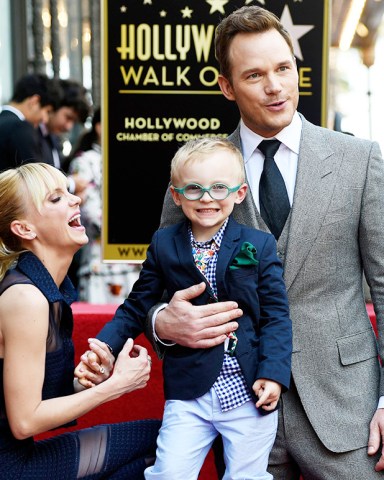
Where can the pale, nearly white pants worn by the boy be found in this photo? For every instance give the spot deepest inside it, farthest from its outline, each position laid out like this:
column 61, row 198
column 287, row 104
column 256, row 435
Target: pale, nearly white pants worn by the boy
column 190, row 427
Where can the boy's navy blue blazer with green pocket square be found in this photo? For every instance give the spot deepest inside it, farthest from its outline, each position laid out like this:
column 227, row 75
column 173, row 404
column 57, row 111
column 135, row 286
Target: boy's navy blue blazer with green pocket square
column 265, row 331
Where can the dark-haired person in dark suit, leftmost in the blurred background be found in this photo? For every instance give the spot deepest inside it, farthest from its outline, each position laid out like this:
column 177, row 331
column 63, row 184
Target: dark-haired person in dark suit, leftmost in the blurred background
column 34, row 97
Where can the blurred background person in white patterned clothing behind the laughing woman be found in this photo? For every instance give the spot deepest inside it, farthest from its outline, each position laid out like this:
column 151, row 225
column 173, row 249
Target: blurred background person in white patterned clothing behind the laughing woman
column 98, row 282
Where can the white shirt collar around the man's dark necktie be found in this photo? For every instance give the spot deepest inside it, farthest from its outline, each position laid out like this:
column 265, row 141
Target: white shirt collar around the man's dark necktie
column 289, row 136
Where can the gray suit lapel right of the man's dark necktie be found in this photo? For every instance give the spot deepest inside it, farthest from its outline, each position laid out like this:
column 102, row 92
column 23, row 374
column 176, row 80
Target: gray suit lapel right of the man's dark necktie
column 315, row 182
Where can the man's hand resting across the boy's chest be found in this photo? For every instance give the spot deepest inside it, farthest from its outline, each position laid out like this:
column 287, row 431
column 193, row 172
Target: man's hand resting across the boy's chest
column 201, row 326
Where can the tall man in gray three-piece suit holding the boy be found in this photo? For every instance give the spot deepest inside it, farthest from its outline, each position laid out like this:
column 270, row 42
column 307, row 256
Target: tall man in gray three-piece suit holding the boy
column 331, row 421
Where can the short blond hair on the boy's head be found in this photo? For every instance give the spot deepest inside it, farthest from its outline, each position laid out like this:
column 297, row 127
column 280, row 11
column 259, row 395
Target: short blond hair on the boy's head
column 195, row 149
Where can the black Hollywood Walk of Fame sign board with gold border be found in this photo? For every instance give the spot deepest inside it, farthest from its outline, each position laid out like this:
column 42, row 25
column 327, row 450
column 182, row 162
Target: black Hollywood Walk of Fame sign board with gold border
column 160, row 90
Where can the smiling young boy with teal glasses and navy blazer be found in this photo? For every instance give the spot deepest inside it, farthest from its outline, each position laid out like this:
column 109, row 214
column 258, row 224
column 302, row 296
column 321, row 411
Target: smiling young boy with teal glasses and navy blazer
column 232, row 389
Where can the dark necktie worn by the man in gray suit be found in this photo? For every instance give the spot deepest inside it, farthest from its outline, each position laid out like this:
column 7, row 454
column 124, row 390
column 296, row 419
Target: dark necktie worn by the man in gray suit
column 274, row 201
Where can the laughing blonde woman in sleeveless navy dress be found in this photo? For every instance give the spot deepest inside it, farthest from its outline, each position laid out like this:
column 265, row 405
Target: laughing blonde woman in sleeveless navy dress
column 40, row 230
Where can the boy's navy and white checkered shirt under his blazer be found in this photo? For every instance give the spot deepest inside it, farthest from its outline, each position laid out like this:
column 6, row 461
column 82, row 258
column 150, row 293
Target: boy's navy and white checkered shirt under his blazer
column 230, row 385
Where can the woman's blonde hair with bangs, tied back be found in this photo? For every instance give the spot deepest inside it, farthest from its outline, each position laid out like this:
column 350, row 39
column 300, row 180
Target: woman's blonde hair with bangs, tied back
column 19, row 188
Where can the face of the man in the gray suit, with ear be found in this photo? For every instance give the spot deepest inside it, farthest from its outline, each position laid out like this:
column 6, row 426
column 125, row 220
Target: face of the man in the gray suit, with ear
column 264, row 81
